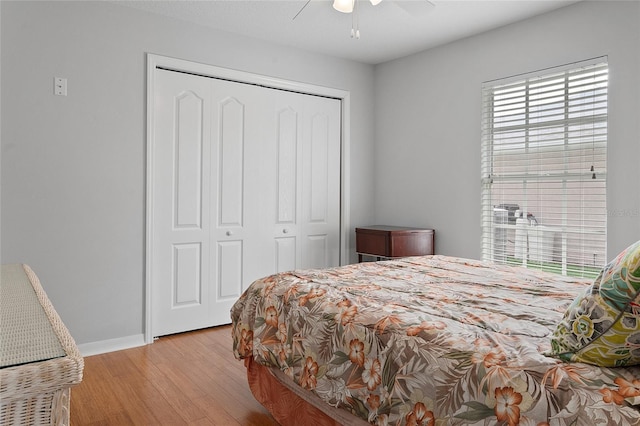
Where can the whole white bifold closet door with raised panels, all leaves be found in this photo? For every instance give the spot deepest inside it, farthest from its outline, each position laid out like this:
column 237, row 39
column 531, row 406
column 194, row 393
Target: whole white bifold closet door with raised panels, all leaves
column 246, row 183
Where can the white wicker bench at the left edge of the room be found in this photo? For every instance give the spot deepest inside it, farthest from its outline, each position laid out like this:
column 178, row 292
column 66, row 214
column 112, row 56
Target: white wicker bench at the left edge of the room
column 39, row 360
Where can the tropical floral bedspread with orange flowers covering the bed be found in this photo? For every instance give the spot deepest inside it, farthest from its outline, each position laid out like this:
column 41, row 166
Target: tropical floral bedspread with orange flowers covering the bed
column 430, row 341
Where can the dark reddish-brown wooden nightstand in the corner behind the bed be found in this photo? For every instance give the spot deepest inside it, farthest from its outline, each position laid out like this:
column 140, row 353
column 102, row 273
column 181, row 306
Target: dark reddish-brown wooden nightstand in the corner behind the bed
column 393, row 241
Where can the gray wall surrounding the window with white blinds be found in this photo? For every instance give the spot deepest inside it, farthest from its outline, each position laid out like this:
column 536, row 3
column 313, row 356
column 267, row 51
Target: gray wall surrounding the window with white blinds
column 428, row 119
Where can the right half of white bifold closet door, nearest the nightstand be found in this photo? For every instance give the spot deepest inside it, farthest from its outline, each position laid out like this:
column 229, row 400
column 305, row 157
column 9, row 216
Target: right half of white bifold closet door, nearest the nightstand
column 308, row 212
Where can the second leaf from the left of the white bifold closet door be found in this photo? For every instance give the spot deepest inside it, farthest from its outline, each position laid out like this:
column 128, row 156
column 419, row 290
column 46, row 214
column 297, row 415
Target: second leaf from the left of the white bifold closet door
column 242, row 135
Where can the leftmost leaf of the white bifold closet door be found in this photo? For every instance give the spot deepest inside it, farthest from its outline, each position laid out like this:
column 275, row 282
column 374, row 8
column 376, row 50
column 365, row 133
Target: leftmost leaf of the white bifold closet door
column 180, row 225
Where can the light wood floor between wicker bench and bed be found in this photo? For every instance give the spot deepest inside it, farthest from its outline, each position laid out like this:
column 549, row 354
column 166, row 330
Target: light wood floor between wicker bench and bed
column 184, row 379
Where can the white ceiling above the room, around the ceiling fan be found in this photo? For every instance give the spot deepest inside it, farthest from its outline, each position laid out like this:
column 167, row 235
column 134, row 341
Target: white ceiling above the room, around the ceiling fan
column 390, row 30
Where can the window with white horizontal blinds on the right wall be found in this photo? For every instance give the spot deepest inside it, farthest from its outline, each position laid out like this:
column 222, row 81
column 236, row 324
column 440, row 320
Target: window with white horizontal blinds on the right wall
column 544, row 158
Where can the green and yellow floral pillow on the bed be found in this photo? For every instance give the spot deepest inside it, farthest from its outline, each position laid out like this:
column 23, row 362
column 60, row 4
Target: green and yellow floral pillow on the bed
column 602, row 325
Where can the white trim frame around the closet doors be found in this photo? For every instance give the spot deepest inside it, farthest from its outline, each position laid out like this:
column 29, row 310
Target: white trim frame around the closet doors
column 158, row 61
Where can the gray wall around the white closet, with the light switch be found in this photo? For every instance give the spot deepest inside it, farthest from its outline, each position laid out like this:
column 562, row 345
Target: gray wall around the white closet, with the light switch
column 73, row 168
